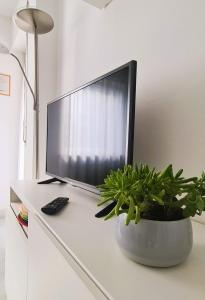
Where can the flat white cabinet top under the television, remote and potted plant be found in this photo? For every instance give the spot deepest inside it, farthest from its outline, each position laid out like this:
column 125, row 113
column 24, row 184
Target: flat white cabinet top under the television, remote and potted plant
column 92, row 243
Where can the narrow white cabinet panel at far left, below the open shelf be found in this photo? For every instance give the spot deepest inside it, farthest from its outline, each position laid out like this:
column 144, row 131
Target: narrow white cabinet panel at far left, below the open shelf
column 16, row 259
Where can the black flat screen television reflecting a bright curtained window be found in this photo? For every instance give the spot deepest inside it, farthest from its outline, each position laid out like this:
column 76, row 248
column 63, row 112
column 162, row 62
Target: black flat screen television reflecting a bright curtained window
column 90, row 130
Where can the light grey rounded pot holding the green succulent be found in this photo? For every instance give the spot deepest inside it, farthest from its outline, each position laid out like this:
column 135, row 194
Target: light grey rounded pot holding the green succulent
column 155, row 243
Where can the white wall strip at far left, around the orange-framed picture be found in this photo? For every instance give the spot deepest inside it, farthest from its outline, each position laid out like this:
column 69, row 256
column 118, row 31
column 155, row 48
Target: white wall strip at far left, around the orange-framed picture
column 9, row 128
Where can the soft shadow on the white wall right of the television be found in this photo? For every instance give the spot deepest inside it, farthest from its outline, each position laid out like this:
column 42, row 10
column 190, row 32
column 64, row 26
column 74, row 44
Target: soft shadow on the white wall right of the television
column 169, row 127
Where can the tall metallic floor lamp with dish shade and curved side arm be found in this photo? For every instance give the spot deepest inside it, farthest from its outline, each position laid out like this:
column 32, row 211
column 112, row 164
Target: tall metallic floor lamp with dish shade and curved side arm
column 35, row 21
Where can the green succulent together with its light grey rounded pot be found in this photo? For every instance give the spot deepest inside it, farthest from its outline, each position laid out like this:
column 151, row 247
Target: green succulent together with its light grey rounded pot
column 154, row 210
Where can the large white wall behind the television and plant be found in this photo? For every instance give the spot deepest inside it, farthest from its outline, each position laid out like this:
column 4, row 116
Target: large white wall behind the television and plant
column 167, row 39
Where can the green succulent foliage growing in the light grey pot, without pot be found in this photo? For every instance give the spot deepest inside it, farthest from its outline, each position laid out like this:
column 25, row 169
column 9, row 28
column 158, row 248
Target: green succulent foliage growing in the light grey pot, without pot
column 143, row 192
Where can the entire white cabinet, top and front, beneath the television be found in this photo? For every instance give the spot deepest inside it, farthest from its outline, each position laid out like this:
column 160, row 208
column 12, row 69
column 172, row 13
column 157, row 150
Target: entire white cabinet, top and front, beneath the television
column 74, row 256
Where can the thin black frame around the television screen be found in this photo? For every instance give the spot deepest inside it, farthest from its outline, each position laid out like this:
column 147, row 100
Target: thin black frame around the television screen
column 132, row 65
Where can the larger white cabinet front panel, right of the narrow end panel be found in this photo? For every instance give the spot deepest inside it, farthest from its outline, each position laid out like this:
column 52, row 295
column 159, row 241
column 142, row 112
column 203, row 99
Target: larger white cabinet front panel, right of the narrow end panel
column 50, row 277
